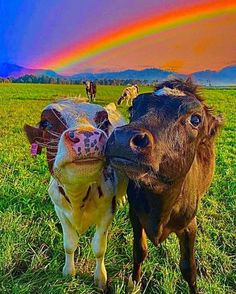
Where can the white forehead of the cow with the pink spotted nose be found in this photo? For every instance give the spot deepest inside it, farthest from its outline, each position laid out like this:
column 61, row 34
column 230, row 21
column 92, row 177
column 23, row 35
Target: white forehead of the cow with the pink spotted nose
column 72, row 113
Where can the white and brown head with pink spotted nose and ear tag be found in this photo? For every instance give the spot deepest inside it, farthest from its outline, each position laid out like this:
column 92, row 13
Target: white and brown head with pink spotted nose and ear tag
column 74, row 136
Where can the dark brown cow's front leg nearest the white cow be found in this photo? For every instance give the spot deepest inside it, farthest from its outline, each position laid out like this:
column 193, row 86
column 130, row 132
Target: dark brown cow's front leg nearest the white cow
column 139, row 249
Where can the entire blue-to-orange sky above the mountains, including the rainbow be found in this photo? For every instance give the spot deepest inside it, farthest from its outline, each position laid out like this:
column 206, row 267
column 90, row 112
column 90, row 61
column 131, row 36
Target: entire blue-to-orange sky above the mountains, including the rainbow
column 71, row 36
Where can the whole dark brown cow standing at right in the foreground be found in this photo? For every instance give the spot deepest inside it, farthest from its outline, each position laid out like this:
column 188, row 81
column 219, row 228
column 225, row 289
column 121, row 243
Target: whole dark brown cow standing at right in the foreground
column 167, row 151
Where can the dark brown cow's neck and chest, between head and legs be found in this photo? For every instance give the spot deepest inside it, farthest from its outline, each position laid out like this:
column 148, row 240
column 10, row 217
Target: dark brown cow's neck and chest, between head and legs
column 163, row 212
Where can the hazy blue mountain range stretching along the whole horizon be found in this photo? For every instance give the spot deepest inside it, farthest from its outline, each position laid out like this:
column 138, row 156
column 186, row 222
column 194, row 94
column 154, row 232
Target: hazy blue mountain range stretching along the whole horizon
column 225, row 76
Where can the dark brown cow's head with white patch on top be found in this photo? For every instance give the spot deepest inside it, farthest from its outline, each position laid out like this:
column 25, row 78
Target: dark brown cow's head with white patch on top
column 167, row 128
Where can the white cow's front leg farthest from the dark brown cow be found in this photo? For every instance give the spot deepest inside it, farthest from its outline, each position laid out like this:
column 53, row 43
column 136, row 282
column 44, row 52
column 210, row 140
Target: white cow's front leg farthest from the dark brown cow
column 70, row 241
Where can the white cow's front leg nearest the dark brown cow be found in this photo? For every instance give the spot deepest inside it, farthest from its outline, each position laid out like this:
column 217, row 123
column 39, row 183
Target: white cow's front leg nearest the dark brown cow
column 99, row 245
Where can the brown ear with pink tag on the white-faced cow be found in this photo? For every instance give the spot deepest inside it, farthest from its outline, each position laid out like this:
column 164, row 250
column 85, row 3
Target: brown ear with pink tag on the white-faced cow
column 35, row 136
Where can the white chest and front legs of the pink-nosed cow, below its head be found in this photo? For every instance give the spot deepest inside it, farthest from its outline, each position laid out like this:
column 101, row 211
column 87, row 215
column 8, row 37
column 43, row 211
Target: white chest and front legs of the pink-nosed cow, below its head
column 77, row 216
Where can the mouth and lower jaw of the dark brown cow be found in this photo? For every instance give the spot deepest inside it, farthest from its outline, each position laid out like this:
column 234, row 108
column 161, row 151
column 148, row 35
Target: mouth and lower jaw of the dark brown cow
column 139, row 170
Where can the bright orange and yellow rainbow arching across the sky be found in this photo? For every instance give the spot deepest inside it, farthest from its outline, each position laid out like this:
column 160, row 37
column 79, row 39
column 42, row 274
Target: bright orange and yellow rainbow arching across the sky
column 148, row 26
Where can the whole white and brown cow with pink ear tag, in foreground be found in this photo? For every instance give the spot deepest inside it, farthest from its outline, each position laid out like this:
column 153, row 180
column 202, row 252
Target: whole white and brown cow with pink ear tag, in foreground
column 83, row 187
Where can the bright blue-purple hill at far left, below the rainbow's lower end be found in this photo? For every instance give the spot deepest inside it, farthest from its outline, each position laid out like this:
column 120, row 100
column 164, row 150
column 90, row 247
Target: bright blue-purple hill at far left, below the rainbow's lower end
column 15, row 71
